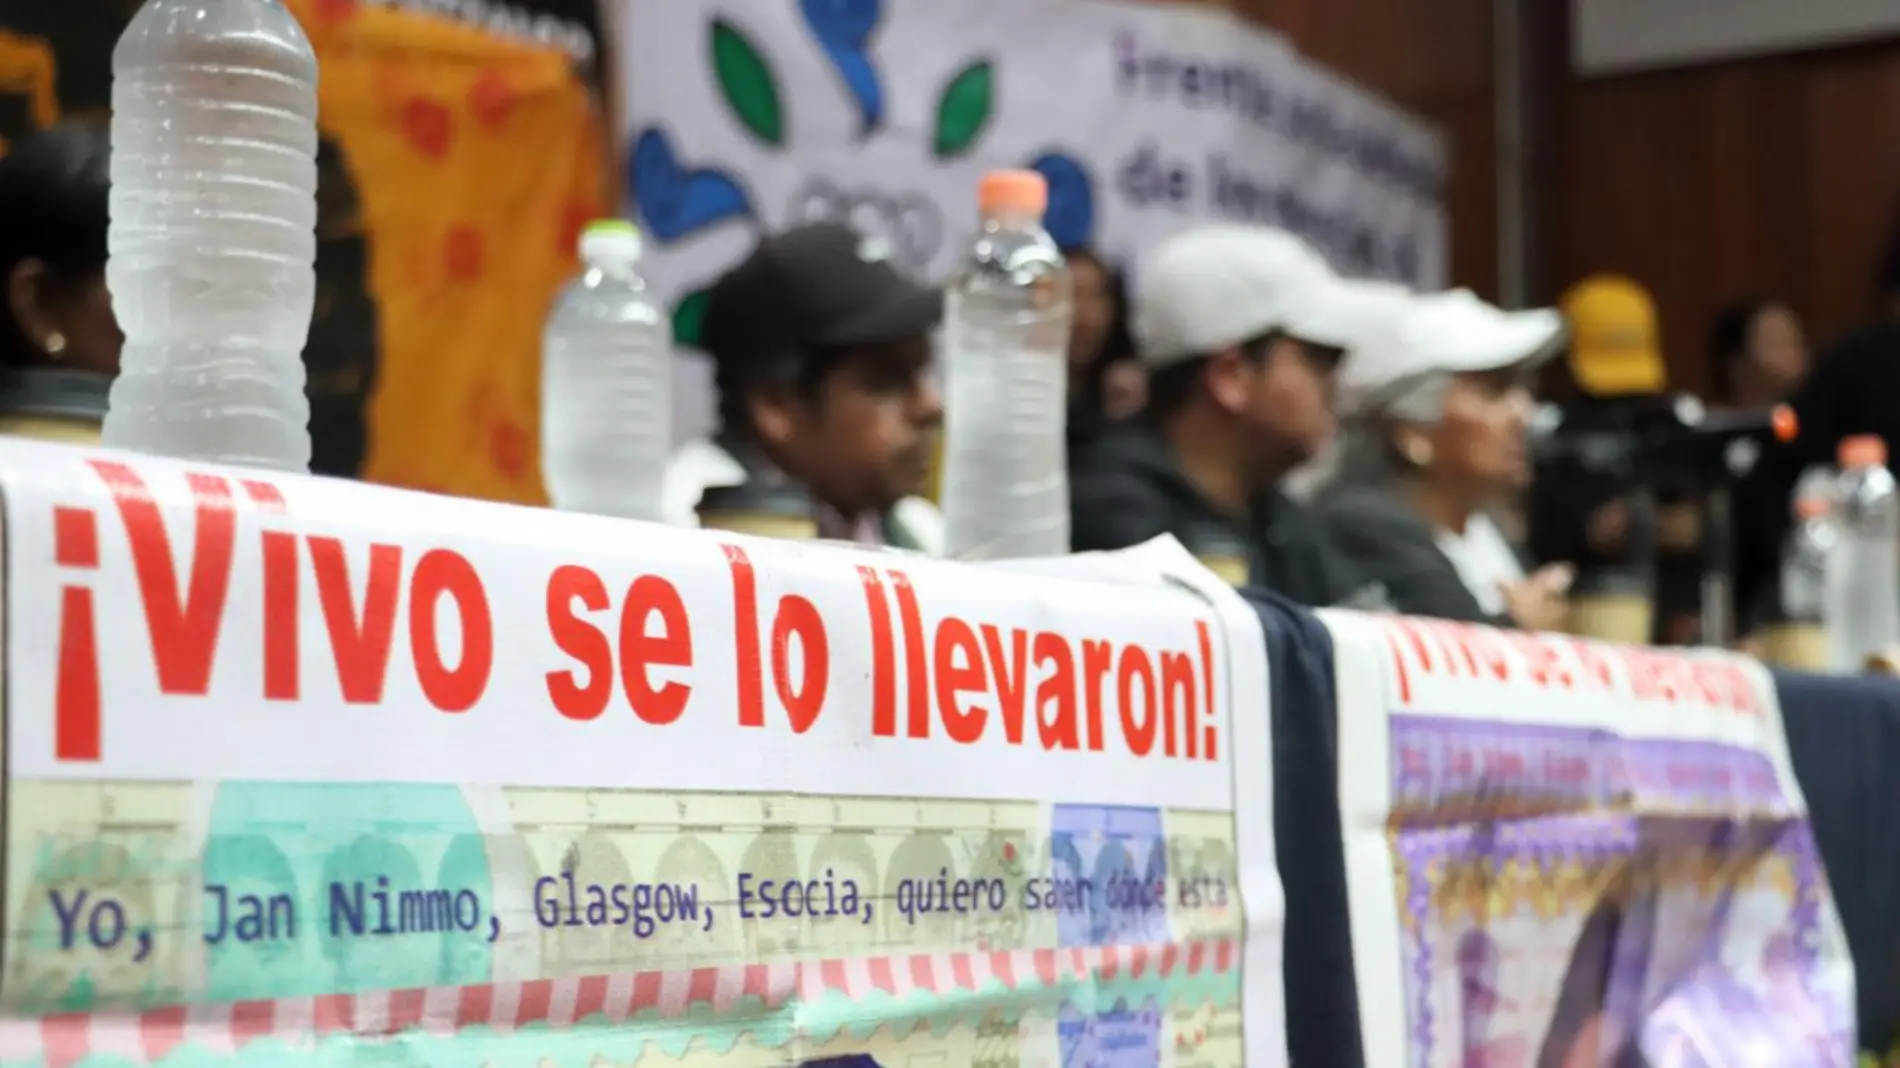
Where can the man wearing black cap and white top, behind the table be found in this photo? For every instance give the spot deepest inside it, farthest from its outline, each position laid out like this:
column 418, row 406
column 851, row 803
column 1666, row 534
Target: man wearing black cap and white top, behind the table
column 827, row 406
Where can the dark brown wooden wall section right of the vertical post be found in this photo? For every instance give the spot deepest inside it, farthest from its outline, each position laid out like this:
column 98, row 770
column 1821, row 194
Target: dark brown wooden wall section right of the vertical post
column 1766, row 178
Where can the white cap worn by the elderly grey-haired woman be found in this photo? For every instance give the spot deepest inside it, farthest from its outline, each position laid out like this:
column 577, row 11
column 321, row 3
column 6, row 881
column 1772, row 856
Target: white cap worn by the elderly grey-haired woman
column 1443, row 334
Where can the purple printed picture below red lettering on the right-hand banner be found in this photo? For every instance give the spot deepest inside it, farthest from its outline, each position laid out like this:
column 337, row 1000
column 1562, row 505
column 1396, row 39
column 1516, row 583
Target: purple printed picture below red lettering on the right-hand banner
column 1576, row 900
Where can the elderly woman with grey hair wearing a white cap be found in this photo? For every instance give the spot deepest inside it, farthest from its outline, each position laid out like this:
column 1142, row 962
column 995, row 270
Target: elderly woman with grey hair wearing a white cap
column 1437, row 398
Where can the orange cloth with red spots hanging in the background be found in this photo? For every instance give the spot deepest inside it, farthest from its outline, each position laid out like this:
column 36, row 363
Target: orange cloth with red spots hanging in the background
column 476, row 161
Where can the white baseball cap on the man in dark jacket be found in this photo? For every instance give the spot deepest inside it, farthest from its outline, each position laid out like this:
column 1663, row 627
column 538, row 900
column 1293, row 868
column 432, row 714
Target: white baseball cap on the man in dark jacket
column 1226, row 284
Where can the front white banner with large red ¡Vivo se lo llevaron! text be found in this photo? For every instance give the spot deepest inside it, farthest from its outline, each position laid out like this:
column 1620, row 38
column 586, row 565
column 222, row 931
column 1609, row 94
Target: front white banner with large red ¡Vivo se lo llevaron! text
column 303, row 769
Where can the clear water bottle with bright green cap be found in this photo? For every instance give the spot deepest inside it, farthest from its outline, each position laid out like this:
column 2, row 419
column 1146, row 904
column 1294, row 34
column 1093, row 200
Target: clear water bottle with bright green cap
column 607, row 396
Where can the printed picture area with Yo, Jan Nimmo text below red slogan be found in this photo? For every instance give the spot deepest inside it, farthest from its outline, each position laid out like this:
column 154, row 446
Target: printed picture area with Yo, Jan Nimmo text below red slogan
column 1073, row 930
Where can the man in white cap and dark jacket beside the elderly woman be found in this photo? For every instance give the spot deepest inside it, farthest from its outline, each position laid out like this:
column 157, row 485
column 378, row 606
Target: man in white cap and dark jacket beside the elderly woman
column 1242, row 330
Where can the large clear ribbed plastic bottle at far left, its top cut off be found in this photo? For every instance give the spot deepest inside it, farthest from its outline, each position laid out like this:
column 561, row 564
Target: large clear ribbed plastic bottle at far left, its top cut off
column 214, row 231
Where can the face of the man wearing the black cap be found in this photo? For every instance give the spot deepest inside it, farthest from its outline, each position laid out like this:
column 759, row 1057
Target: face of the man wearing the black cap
column 867, row 436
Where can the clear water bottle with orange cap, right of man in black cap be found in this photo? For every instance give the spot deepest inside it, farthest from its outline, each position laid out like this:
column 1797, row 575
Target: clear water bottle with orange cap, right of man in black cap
column 1006, row 381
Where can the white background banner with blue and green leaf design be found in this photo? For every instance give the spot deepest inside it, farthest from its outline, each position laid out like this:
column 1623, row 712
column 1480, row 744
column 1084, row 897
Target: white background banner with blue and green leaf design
column 750, row 117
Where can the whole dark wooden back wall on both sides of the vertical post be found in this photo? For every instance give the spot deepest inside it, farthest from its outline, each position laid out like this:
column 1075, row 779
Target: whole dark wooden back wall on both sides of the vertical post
column 1764, row 178
